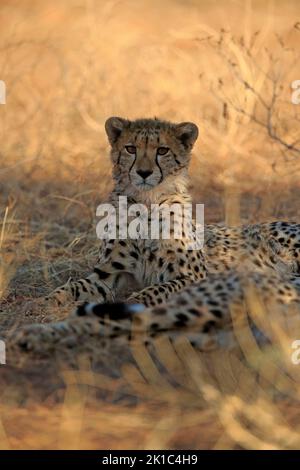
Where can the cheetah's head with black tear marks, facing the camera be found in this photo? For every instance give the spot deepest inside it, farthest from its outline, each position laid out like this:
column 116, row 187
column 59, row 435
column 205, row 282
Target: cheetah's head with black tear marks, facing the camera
column 147, row 152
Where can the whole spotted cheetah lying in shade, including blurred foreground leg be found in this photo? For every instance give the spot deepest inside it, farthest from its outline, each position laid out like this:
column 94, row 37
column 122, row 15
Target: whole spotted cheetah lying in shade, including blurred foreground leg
column 181, row 289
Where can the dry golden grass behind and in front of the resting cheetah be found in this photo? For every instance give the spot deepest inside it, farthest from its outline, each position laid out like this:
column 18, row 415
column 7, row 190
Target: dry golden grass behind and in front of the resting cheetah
column 226, row 65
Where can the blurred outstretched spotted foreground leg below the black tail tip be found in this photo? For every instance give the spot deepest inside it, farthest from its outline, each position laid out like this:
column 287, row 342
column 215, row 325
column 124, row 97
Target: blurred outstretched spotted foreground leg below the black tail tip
column 76, row 332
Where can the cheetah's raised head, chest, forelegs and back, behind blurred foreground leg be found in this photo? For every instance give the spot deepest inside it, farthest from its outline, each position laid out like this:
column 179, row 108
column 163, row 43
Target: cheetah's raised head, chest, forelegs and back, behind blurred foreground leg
column 150, row 161
